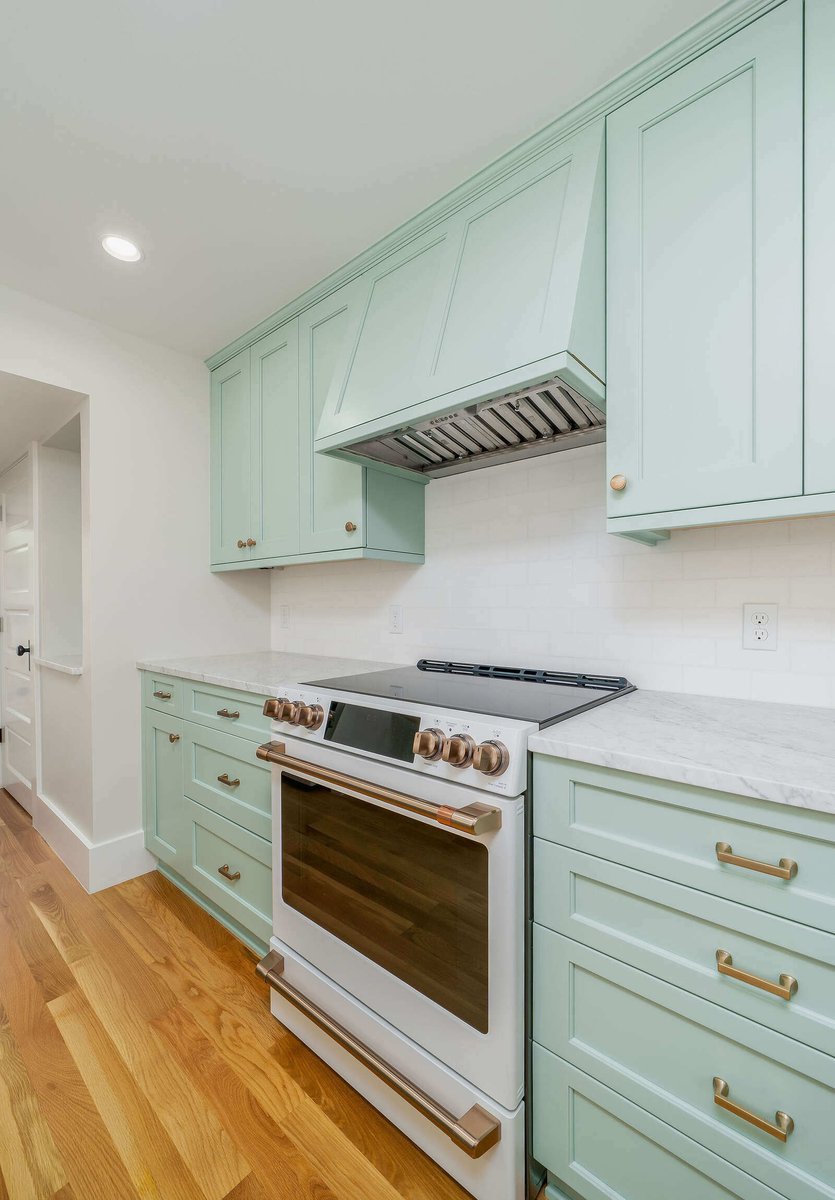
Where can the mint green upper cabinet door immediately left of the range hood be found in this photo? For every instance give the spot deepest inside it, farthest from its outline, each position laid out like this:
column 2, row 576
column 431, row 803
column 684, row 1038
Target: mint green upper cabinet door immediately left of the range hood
column 332, row 490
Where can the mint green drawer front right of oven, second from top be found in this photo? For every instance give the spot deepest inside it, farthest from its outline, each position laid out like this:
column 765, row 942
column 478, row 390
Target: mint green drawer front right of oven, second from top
column 675, row 933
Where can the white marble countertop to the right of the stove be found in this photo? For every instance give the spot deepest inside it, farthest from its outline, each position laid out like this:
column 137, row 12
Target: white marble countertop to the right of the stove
column 783, row 753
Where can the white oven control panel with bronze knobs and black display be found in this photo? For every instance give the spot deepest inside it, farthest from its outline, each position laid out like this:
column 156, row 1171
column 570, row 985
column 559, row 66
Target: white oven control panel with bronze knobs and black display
column 484, row 753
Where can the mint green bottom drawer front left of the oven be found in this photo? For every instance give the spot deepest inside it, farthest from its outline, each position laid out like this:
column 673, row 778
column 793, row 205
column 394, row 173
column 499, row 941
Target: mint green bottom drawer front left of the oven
column 221, row 849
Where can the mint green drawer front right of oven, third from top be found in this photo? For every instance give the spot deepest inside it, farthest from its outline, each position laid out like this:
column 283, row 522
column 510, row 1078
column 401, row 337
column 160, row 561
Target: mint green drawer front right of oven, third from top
column 663, row 1049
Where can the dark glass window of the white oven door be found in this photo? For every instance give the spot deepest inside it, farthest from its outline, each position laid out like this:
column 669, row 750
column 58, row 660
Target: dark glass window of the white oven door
column 411, row 897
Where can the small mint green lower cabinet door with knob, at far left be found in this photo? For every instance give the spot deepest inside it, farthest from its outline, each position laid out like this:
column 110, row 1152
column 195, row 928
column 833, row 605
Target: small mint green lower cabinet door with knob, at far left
column 163, row 788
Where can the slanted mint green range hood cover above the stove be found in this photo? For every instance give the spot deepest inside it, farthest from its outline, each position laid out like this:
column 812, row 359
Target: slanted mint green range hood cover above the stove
column 506, row 292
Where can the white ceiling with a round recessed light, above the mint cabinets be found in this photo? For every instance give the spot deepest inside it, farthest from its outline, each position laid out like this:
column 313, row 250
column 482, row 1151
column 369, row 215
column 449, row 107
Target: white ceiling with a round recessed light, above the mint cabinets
column 251, row 147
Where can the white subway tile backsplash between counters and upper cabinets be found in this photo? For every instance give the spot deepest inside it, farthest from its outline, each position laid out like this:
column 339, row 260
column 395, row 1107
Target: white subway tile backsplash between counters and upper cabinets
column 520, row 571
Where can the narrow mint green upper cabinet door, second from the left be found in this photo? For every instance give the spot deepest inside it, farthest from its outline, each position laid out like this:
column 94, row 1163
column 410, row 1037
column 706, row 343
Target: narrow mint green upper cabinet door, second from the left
column 275, row 436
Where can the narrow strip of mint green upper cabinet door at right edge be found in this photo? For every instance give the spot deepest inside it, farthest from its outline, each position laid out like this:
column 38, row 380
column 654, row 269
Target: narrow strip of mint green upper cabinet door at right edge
column 820, row 201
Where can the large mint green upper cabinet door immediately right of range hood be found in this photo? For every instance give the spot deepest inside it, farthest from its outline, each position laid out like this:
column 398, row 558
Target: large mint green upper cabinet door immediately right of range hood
column 705, row 244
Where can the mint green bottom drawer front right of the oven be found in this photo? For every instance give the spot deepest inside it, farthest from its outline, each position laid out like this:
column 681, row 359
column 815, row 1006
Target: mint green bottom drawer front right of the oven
column 608, row 1149
